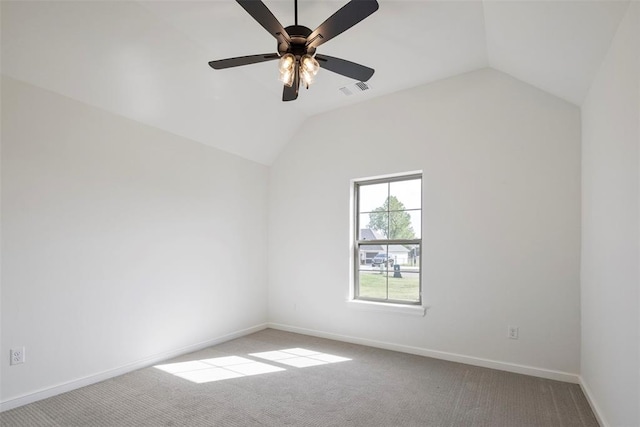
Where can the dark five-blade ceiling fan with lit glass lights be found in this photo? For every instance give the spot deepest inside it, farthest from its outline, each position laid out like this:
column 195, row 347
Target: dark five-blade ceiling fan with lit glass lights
column 297, row 45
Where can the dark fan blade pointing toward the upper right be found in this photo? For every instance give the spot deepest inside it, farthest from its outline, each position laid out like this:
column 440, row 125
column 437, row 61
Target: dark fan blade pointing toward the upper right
column 346, row 17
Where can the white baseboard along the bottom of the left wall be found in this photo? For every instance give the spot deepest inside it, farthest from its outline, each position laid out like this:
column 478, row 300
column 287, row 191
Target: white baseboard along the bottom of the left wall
column 105, row 375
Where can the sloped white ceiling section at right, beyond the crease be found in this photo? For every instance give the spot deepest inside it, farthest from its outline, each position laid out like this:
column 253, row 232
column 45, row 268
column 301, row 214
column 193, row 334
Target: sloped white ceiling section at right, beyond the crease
column 555, row 45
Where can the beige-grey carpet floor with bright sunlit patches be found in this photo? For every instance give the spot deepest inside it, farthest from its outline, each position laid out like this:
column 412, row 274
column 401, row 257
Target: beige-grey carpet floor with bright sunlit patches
column 308, row 382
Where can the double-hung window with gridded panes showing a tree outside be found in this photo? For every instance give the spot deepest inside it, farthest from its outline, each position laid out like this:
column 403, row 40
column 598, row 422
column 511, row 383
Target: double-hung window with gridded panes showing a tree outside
column 388, row 239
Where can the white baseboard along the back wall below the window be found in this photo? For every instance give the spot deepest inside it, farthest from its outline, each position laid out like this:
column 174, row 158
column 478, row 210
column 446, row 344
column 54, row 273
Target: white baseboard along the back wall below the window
column 452, row 357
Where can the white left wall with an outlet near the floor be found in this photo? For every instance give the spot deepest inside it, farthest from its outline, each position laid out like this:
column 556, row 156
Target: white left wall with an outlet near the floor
column 120, row 242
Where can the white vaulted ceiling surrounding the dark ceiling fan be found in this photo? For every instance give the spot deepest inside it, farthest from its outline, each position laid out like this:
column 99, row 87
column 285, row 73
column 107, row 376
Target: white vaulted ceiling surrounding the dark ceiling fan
column 148, row 60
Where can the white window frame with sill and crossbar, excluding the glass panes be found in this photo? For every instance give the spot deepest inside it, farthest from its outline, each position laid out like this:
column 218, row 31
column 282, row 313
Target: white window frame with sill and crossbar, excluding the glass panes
column 378, row 304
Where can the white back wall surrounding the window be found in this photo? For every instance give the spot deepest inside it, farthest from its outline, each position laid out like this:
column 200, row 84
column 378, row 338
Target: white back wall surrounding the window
column 501, row 226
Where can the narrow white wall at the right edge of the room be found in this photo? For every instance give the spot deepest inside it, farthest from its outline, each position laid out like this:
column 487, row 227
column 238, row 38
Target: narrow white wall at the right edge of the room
column 610, row 238
